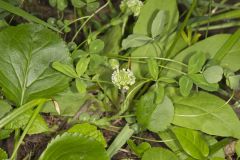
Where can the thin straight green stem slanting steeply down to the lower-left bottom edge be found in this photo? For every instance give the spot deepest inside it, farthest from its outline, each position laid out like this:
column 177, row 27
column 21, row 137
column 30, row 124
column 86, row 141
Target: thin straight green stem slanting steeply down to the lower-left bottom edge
column 37, row 110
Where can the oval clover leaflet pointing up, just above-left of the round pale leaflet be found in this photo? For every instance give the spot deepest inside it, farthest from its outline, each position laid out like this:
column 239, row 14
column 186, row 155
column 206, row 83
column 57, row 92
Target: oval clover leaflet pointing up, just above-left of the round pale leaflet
column 196, row 62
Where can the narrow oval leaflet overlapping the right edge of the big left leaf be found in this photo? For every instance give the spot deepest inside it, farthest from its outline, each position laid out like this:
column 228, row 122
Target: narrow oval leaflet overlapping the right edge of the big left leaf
column 65, row 69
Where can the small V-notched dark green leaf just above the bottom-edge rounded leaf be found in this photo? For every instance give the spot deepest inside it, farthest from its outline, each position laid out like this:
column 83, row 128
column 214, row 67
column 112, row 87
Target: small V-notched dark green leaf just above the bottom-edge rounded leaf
column 138, row 149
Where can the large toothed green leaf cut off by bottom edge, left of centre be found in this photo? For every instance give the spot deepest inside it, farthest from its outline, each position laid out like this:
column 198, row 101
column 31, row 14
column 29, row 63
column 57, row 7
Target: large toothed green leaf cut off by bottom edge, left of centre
column 74, row 146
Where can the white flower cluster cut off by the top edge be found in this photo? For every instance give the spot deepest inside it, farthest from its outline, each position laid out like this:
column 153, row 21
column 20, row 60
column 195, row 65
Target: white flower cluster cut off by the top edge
column 133, row 5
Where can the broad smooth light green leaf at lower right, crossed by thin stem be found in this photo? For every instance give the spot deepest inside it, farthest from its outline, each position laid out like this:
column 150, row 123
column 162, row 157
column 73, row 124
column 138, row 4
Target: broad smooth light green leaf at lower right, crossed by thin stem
column 207, row 113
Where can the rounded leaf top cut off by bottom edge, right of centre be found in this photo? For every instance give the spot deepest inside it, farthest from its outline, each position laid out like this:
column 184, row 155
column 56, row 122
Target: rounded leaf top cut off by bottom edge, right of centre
column 159, row 153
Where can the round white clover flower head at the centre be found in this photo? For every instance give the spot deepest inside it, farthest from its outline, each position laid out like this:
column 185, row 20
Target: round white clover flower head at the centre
column 123, row 78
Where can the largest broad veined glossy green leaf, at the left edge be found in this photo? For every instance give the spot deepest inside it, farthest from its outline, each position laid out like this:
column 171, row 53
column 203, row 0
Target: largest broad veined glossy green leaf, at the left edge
column 26, row 54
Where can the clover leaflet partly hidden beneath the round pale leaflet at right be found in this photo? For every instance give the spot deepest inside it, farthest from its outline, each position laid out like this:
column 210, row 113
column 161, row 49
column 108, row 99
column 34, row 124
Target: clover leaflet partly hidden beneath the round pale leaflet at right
column 201, row 82
